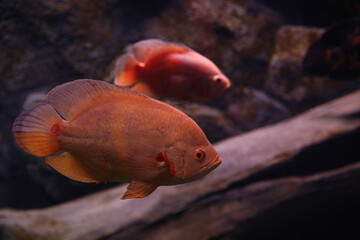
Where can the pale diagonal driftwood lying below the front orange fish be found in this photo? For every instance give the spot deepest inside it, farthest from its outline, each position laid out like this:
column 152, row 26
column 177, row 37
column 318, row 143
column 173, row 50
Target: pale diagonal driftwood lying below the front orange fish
column 248, row 183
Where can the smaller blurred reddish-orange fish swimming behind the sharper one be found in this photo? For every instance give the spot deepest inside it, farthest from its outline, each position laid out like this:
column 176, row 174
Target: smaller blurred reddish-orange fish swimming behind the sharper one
column 169, row 70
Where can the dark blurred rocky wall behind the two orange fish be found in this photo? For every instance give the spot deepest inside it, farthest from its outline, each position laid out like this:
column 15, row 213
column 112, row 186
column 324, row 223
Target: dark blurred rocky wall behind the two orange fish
column 259, row 45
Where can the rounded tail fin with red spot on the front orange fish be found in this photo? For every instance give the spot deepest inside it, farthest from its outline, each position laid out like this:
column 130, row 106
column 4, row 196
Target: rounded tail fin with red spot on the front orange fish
column 37, row 128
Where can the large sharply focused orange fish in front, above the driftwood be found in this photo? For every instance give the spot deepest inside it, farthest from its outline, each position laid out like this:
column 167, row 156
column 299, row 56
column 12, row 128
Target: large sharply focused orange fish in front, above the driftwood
column 93, row 131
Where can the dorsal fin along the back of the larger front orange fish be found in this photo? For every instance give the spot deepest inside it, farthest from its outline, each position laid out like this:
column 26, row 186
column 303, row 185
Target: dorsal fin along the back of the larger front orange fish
column 70, row 98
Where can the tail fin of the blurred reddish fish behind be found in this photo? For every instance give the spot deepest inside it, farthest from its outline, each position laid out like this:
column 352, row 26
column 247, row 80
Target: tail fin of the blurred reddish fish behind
column 126, row 70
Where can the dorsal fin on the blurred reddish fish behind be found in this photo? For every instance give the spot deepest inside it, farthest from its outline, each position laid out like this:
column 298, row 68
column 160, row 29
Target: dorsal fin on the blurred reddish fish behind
column 144, row 49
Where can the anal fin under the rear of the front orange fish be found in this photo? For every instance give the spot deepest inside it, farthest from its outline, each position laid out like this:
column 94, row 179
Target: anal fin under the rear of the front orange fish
column 68, row 165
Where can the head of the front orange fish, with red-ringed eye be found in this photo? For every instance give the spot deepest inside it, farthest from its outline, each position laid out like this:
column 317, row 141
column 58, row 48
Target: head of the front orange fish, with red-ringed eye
column 192, row 155
